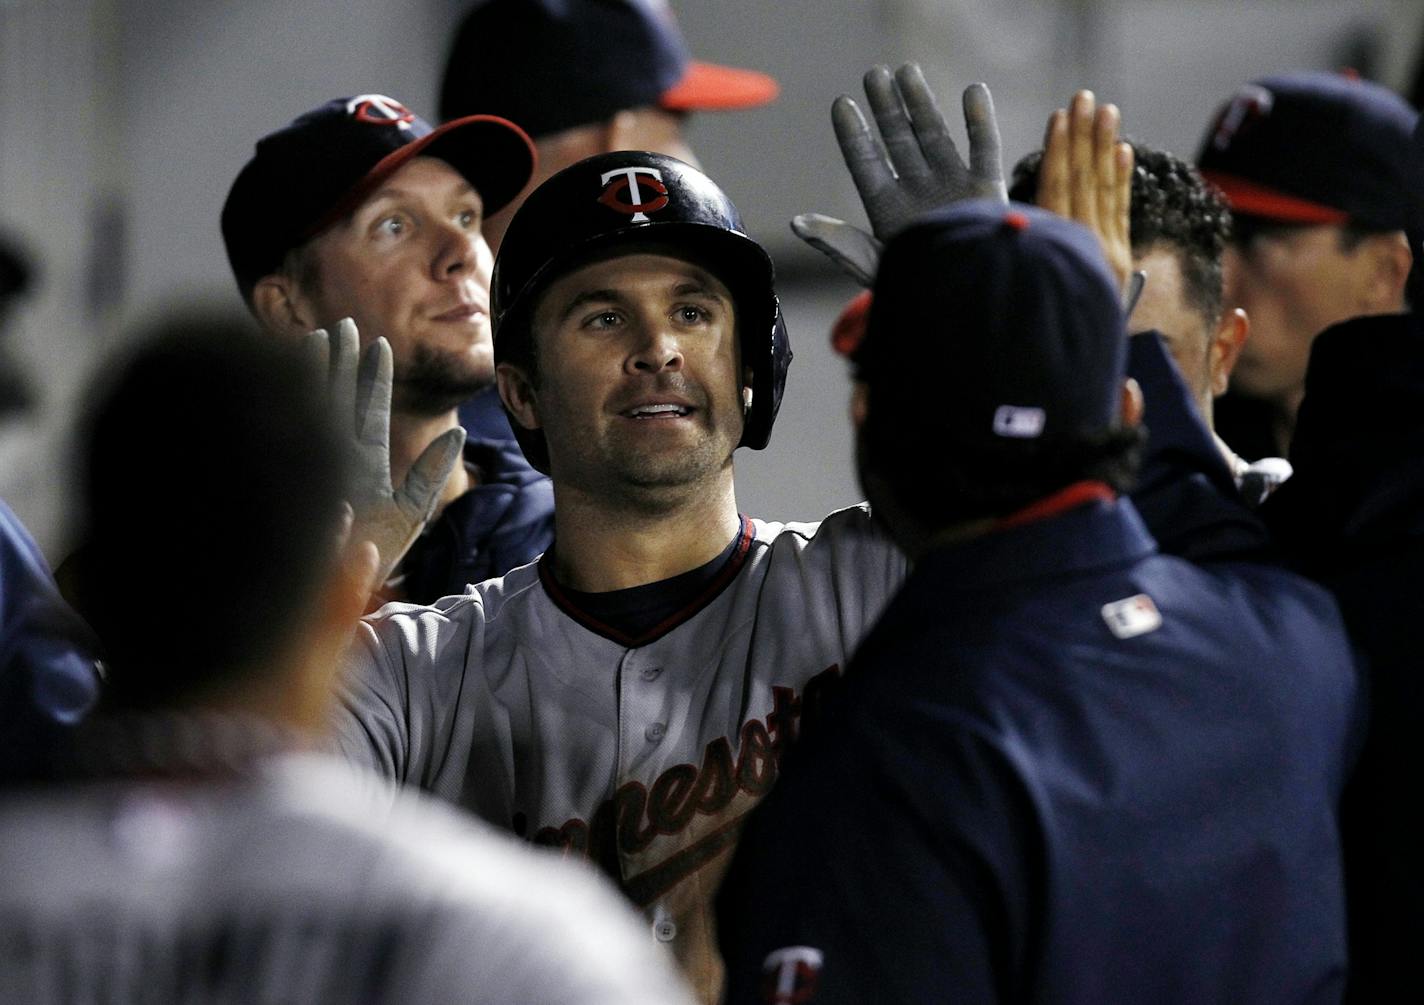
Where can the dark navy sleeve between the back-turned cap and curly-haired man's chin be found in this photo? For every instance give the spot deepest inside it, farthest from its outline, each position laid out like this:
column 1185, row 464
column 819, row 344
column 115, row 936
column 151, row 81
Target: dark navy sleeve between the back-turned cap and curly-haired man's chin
column 1185, row 492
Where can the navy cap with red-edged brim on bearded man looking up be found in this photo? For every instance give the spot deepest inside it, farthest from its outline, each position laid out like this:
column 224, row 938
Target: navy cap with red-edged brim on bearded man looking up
column 305, row 177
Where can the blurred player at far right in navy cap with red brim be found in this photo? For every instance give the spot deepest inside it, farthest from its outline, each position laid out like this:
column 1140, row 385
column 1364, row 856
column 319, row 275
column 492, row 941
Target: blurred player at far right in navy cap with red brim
column 1314, row 167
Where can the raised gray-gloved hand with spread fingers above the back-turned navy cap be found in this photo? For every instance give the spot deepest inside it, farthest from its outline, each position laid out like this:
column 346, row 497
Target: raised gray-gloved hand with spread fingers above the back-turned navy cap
column 915, row 167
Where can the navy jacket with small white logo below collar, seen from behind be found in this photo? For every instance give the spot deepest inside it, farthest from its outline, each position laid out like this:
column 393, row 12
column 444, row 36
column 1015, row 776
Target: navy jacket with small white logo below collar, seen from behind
column 1009, row 802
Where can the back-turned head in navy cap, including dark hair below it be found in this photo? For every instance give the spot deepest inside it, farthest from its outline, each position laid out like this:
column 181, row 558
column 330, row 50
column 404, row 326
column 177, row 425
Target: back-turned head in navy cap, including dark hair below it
column 993, row 364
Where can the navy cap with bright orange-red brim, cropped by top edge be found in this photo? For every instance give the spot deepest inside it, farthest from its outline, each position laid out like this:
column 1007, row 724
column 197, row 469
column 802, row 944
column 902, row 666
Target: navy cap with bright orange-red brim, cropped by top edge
column 555, row 65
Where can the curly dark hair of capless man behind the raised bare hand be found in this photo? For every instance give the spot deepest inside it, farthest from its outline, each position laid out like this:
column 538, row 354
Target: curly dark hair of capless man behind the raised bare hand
column 1171, row 207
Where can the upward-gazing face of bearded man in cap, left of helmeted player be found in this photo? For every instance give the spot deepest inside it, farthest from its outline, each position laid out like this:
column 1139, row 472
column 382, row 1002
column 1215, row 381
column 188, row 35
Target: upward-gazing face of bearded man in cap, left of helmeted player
column 411, row 264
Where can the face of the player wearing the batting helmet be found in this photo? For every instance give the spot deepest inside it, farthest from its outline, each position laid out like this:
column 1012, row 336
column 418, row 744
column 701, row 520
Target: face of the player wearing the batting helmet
column 640, row 378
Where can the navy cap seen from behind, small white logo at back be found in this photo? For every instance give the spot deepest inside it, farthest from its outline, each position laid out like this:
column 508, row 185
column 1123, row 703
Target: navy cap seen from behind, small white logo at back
column 1009, row 317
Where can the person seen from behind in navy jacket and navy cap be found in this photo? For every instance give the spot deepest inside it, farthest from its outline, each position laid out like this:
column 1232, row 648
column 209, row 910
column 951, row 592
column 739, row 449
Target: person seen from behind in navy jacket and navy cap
column 1063, row 767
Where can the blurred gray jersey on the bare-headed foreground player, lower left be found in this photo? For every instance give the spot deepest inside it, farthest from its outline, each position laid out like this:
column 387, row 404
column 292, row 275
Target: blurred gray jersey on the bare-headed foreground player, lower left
column 295, row 885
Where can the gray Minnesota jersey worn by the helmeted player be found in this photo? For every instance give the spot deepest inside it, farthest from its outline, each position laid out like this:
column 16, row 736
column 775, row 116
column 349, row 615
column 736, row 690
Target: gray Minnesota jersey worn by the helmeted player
column 640, row 754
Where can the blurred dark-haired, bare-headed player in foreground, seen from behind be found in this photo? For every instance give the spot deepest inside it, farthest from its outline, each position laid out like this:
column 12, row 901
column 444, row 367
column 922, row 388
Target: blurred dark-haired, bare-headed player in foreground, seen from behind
column 200, row 851
